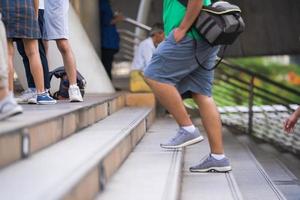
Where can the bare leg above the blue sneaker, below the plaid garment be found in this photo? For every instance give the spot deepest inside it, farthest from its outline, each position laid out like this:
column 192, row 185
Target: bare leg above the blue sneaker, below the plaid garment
column 32, row 52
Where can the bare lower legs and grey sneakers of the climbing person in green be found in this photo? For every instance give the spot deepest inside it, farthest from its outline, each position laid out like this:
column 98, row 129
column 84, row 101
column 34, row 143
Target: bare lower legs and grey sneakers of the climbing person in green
column 210, row 118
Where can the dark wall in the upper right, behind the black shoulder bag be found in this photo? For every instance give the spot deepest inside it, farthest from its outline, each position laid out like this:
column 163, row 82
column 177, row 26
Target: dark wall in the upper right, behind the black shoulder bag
column 272, row 27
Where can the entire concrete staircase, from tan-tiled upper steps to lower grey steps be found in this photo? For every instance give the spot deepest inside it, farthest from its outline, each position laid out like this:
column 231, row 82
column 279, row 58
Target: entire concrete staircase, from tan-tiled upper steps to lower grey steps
column 108, row 149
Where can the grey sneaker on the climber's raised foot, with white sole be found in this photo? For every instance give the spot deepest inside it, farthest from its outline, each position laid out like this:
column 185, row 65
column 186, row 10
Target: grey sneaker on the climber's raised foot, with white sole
column 183, row 138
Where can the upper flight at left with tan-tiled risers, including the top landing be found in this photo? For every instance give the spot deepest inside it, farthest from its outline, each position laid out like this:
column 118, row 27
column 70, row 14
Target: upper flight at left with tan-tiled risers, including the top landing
column 42, row 158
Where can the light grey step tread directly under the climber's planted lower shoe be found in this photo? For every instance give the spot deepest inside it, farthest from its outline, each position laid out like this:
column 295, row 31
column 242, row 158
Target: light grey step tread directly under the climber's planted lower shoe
column 206, row 186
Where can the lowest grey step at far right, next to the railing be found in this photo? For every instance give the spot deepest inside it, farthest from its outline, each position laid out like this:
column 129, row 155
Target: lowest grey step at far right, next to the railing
column 282, row 167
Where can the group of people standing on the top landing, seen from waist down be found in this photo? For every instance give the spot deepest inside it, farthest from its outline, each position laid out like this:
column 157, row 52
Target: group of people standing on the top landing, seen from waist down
column 23, row 27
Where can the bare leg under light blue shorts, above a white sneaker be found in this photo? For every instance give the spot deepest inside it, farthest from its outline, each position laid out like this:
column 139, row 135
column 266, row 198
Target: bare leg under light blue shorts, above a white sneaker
column 68, row 58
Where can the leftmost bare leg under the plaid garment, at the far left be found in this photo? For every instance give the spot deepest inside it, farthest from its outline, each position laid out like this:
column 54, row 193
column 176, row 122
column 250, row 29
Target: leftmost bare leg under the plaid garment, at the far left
column 10, row 47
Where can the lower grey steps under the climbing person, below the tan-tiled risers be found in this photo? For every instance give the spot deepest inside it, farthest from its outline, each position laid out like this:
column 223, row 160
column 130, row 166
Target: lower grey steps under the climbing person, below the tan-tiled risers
column 154, row 173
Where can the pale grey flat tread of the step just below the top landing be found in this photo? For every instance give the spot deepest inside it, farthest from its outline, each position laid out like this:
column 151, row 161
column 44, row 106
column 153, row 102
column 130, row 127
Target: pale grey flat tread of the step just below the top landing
column 53, row 172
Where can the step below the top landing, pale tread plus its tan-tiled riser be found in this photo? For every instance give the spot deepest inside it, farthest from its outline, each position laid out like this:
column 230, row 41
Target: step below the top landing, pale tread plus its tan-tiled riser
column 80, row 166
